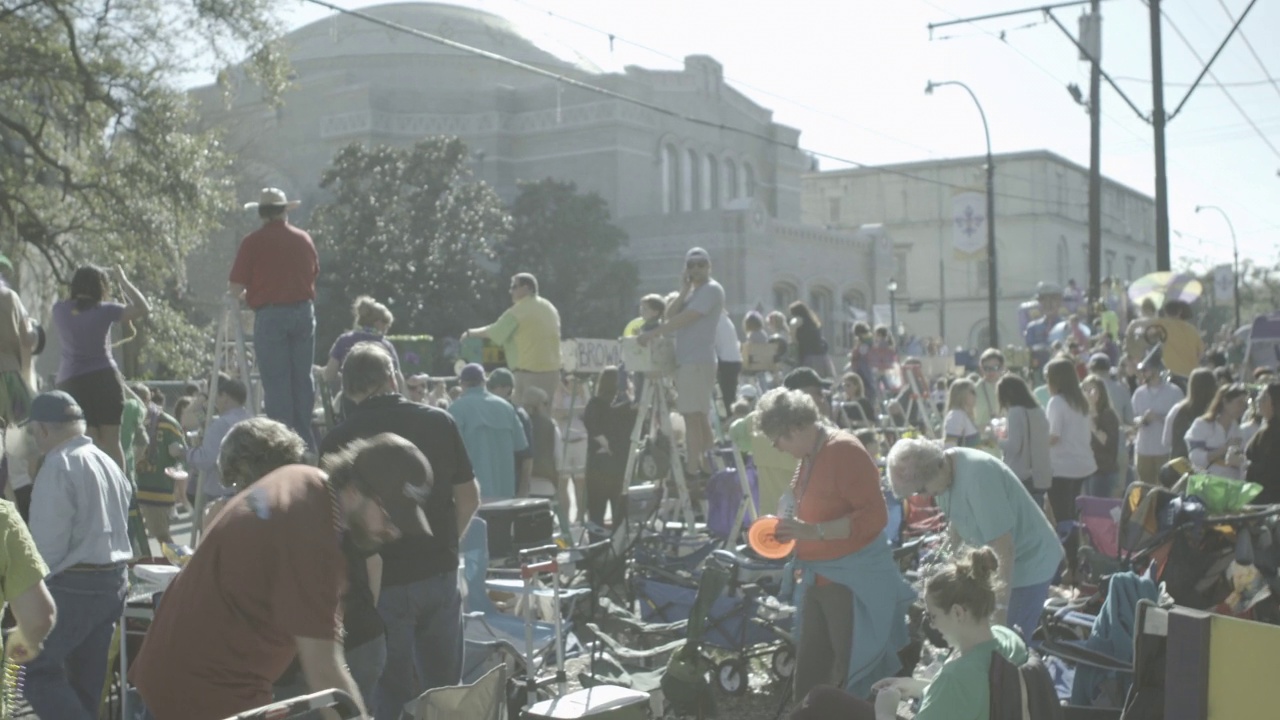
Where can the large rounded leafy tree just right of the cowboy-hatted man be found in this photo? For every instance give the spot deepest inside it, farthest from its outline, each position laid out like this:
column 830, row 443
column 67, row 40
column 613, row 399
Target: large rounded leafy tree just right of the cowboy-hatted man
column 412, row 227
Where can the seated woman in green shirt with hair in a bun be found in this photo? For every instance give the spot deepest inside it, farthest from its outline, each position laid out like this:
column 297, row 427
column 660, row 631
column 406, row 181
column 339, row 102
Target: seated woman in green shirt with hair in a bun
column 961, row 600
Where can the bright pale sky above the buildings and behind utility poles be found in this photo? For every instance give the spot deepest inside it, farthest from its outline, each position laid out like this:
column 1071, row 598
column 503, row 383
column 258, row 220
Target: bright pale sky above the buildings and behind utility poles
column 851, row 75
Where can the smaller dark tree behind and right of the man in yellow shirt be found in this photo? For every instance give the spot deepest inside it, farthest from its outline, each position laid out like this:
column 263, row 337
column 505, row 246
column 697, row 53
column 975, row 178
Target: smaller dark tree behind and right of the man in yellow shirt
column 569, row 241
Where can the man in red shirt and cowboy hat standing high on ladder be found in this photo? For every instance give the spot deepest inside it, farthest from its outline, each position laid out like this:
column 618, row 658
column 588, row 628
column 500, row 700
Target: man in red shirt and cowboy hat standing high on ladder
column 276, row 272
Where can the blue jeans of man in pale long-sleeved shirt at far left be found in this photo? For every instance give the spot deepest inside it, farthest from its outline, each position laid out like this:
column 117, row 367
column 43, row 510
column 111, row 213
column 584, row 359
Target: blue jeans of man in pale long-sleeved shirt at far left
column 66, row 681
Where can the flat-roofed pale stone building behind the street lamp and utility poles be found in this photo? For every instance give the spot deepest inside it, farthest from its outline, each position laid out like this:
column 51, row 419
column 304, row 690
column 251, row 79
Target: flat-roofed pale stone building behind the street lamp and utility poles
column 1041, row 235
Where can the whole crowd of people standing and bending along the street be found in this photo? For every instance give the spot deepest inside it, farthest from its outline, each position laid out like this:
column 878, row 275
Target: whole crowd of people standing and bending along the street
column 330, row 559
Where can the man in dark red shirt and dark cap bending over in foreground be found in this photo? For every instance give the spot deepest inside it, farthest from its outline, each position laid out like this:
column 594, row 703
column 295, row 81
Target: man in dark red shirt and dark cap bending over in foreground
column 268, row 580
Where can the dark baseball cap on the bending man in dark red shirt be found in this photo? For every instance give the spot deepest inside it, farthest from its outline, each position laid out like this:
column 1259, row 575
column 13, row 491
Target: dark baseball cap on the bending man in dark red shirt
column 399, row 476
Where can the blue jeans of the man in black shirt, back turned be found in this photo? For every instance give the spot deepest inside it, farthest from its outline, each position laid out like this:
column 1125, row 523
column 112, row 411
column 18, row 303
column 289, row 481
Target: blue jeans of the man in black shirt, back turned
column 424, row 641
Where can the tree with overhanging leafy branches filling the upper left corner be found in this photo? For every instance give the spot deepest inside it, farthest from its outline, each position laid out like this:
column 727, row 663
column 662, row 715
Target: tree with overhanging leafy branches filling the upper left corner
column 99, row 160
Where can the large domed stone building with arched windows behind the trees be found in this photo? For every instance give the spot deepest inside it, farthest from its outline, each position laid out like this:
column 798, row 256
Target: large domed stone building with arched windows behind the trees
column 669, row 183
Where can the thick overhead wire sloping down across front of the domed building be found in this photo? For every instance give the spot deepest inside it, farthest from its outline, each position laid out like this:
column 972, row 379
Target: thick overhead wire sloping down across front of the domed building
column 646, row 104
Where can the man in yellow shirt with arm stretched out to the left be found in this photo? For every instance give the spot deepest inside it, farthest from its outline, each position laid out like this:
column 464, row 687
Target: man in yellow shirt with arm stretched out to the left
column 529, row 334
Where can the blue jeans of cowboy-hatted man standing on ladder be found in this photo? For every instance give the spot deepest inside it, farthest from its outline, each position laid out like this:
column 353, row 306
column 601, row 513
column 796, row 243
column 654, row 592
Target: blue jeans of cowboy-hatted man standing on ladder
column 285, row 343
